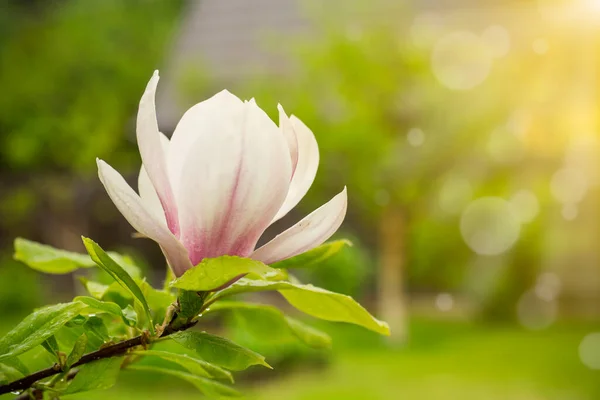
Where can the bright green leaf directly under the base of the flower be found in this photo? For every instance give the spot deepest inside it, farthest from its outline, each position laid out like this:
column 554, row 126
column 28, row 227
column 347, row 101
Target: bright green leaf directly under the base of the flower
column 215, row 273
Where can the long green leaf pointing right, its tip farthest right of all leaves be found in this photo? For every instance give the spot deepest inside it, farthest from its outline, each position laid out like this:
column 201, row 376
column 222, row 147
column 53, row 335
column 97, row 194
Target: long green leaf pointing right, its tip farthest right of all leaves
column 318, row 302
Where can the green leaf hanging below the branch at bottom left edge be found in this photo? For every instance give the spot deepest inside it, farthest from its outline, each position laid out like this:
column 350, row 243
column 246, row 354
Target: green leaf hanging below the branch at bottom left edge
column 101, row 374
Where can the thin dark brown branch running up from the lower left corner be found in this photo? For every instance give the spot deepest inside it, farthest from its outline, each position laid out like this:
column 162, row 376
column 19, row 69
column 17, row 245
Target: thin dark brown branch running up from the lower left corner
column 113, row 350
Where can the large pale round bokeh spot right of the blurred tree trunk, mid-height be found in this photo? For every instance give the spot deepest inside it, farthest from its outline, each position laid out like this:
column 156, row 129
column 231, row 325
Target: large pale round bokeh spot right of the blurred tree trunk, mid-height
column 489, row 226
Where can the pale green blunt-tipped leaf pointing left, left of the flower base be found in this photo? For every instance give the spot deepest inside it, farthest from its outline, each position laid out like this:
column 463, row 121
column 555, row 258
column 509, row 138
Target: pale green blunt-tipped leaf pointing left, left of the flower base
column 49, row 259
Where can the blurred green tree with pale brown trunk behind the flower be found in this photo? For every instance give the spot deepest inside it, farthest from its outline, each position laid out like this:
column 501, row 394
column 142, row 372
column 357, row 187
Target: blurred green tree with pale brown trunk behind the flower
column 381, row 120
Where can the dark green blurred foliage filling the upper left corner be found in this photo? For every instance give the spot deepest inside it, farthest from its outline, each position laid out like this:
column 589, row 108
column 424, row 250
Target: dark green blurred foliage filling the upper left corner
column 73, row 71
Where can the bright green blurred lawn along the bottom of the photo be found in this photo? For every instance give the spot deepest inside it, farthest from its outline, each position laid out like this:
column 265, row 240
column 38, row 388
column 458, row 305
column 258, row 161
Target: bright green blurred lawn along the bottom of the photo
column 445, row 360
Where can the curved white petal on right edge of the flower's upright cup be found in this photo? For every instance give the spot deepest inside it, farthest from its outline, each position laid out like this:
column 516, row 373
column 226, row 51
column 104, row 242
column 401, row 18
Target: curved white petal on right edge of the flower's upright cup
column 306, row 169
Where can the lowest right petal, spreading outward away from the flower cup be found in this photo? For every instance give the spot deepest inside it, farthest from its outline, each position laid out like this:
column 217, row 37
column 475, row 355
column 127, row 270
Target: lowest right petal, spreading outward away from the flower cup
column 307, row 234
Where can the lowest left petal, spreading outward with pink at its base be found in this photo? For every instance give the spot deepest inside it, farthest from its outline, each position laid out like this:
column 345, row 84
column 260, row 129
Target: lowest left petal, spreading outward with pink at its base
column 142, row 220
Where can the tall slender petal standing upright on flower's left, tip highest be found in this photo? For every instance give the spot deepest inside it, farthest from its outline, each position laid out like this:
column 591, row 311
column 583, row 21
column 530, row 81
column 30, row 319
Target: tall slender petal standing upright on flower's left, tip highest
column 153, row 156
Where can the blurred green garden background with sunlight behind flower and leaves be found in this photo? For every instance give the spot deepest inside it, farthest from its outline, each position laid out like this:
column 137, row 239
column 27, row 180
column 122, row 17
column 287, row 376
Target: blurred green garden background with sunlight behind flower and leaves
column 467, row 134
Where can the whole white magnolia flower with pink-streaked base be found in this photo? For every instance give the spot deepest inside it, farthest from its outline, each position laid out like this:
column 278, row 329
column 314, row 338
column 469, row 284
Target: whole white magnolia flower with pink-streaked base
column 227, row 173
